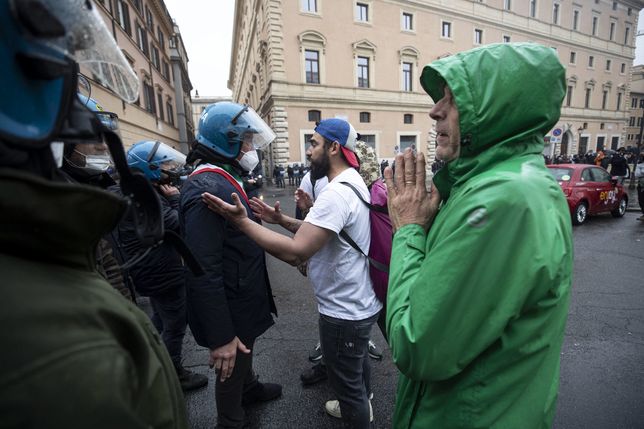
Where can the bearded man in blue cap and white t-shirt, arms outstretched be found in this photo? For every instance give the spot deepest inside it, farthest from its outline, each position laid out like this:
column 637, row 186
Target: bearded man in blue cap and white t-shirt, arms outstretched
column 339, row 274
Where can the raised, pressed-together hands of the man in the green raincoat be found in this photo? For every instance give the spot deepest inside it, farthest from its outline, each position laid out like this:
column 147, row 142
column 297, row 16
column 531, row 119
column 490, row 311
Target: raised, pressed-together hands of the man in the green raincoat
column 408, row 199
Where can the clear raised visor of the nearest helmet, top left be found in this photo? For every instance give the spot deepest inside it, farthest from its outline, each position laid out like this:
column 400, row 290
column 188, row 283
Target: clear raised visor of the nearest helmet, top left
column 89, row 42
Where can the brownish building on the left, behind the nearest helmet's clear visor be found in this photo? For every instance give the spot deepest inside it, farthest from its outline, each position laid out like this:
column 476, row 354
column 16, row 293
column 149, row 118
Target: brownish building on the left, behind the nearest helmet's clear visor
column 152, row 44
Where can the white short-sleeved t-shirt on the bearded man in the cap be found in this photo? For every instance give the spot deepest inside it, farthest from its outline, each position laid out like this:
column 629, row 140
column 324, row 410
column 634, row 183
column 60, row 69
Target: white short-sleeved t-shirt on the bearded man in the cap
column 339, row 273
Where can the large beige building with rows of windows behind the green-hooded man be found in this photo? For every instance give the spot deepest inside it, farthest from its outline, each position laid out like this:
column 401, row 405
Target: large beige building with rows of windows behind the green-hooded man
column 296, row 61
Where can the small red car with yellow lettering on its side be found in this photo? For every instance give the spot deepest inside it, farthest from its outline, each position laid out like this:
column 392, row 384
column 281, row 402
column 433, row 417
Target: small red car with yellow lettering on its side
column 590, row 190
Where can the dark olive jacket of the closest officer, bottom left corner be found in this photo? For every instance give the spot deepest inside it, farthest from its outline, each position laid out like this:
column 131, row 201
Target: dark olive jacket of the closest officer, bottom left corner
column 75, row 353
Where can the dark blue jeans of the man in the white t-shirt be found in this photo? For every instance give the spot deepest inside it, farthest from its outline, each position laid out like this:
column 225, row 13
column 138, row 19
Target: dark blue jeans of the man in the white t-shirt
column 345, row 345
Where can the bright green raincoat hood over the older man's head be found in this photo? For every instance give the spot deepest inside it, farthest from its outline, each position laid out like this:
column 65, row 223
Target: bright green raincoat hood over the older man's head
column 508, row 97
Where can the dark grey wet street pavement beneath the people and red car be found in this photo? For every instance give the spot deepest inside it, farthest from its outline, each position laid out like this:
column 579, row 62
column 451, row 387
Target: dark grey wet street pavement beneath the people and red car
column 602, row 378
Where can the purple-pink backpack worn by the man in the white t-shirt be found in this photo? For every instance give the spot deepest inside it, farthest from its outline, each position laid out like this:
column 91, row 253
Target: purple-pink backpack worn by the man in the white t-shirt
column 381, row 237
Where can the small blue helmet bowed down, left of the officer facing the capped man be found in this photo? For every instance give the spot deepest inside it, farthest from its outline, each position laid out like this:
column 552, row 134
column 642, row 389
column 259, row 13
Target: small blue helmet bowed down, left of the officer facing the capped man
column 157, row 161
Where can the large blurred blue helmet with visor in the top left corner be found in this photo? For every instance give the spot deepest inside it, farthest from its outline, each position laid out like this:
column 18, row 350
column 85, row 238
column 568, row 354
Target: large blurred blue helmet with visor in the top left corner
column 42, row 43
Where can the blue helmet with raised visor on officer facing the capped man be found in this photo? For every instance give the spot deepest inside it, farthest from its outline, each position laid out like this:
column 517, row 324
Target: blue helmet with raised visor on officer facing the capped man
column 224, row 126
